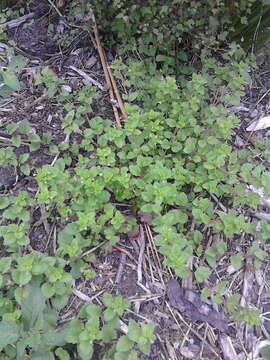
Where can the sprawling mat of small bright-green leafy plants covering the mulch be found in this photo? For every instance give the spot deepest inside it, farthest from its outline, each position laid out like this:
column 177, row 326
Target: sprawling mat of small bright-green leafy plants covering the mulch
column 172, row 168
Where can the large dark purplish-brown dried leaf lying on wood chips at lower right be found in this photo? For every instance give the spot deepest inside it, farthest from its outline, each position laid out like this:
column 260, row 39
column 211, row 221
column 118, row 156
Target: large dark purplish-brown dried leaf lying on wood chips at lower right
column 188, row 302
